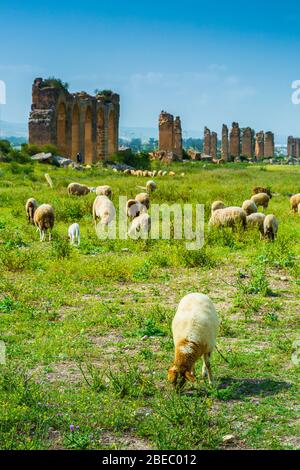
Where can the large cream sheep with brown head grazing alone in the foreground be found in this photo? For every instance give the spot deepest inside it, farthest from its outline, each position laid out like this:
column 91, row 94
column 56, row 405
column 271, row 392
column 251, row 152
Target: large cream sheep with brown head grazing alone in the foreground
column 195, row 326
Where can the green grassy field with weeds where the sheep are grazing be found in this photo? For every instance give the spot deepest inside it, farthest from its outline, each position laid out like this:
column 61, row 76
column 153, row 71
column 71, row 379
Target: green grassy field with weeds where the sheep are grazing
column 87, row 330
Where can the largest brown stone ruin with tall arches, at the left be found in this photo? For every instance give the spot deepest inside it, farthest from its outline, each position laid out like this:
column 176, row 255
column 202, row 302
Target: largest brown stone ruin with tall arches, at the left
column 74, row 122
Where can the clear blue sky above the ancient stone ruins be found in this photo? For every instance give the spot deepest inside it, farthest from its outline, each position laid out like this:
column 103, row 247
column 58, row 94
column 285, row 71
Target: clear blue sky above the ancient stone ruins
column 209, row 62
